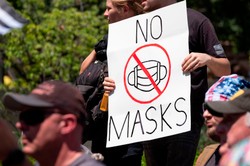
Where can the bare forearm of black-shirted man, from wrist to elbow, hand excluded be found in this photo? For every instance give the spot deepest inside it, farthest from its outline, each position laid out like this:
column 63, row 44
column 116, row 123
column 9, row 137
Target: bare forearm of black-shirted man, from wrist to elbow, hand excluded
column 219, row 66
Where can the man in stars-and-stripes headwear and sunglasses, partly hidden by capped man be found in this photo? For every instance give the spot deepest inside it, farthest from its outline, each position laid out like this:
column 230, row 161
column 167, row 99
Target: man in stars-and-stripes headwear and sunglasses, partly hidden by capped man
column 222, row 90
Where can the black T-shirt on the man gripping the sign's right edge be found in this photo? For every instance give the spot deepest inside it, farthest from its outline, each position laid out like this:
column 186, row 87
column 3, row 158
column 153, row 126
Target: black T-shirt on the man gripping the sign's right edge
column 202, row 38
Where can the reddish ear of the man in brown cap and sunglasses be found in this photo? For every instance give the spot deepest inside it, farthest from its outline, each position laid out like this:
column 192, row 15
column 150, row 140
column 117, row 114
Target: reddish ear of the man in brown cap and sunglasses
column 68, row 123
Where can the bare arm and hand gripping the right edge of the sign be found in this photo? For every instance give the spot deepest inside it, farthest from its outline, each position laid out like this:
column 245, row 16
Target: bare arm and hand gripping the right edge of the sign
column 219, row 66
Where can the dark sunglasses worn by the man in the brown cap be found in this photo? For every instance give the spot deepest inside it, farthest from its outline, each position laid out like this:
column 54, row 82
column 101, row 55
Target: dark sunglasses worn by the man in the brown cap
column 34, row 117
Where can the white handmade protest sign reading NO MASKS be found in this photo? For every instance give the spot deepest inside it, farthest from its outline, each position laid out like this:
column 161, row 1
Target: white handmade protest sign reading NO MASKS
column 152, row 95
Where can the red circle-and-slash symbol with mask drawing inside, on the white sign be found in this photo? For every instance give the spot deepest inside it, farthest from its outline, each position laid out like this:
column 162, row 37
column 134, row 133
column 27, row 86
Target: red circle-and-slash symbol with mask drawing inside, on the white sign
column 147, row 73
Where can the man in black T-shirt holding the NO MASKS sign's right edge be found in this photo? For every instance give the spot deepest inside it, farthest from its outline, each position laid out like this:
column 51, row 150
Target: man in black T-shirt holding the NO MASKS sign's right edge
column 205, row 51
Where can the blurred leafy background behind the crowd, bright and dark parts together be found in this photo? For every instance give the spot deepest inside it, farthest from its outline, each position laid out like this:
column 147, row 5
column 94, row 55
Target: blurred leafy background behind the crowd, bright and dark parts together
column 59, row 34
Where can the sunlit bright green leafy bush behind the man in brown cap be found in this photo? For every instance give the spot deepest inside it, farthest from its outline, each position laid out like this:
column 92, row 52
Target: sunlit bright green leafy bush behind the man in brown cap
column 53, row 44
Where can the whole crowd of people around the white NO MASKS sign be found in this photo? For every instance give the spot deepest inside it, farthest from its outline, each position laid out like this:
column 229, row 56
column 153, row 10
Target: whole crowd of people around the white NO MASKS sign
column 55, row 115
